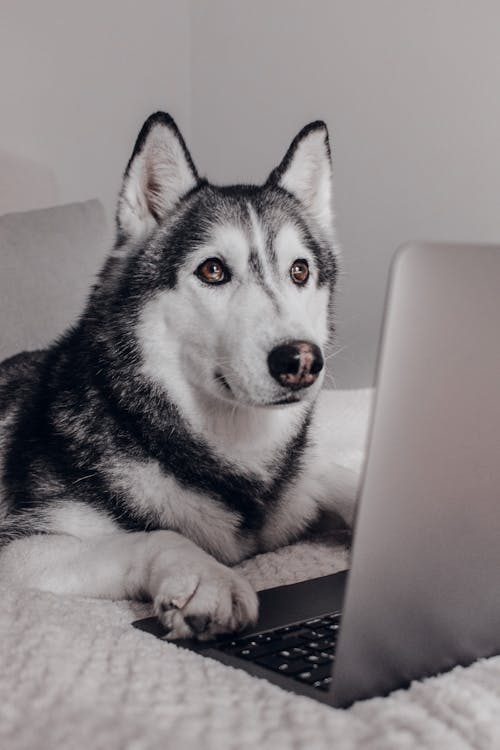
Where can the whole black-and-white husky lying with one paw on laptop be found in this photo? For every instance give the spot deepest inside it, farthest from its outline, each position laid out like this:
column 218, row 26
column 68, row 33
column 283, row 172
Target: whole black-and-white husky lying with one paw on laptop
column 170, row 433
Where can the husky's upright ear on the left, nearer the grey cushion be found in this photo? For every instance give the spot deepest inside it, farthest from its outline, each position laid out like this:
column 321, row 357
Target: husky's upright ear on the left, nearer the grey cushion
column 159, row 173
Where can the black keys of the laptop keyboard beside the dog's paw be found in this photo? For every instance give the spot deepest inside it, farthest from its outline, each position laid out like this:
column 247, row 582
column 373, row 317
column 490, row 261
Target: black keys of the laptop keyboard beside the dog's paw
column 304, row 651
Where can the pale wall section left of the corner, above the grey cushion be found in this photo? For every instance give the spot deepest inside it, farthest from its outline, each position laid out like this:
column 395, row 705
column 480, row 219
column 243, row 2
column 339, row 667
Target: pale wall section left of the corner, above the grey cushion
column 76, row 81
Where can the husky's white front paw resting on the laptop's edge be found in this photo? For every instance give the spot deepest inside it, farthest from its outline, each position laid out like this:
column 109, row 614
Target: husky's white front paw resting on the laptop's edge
column 203, row 600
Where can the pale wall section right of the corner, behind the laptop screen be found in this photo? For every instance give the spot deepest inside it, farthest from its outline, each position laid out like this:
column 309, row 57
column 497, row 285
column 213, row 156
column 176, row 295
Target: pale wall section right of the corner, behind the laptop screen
column 411, row 92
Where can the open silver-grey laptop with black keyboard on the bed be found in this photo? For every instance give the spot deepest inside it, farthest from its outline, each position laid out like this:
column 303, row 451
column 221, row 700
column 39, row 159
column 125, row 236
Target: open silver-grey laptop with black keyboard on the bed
column 423, row 591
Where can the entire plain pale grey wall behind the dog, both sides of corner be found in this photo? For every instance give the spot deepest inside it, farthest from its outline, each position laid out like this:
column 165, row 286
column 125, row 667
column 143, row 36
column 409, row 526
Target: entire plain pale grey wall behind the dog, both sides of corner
column 409, row 88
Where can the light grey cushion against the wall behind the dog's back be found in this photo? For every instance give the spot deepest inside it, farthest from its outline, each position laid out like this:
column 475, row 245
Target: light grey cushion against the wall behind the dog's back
column 48, row 260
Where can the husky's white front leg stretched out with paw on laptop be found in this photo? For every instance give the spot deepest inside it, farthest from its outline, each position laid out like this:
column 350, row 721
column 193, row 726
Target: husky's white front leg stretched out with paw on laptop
column 192, row 592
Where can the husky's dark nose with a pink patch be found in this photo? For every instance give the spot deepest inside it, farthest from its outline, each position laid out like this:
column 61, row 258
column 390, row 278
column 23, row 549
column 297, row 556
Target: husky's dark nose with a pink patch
column 295, row 365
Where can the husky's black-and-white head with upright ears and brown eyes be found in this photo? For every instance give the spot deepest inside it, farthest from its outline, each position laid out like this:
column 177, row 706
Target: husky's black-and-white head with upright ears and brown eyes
column 235, row 282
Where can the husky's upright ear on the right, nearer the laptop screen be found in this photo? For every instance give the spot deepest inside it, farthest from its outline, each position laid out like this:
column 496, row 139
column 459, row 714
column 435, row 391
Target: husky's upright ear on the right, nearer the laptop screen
column 306, row 172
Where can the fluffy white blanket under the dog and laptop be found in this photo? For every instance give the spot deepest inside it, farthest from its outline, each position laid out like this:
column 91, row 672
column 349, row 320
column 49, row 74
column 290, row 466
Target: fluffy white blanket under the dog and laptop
column 74, row 674
